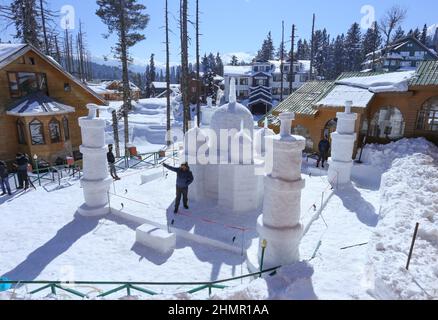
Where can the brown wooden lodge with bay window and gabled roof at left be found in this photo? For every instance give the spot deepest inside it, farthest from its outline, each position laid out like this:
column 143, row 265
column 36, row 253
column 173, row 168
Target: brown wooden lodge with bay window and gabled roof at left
column 39, row 105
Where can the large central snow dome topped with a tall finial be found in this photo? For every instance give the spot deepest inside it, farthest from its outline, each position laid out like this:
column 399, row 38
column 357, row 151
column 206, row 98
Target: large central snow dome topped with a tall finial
column 230, row 116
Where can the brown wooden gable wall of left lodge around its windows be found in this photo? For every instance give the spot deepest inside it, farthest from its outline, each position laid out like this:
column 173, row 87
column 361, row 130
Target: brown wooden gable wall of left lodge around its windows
column 77, row 97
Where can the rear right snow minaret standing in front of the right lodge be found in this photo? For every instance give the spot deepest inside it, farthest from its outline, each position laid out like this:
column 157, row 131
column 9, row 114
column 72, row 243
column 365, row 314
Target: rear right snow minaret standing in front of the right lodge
column 343, row 139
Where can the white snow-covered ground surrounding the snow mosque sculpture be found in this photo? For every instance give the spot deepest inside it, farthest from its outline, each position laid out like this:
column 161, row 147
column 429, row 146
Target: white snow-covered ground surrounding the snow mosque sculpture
column 355, row 244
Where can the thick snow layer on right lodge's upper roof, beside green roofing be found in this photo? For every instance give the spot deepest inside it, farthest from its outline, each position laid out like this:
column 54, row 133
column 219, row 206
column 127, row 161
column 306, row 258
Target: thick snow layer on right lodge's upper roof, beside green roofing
column 387, row 82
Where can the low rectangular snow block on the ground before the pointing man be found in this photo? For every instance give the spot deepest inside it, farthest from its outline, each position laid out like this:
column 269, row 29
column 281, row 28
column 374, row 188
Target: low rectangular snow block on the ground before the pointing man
column 156, row 238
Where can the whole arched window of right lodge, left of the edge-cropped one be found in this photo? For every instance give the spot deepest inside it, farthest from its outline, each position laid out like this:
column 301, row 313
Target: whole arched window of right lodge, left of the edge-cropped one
column 387, row 123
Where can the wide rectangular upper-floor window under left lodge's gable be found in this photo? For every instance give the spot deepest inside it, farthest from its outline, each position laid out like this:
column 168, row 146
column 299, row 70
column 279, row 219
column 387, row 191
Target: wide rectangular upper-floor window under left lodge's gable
column 24, row 83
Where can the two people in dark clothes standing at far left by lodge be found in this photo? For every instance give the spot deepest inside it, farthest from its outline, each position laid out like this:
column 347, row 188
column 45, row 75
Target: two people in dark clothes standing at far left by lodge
column 21, row 166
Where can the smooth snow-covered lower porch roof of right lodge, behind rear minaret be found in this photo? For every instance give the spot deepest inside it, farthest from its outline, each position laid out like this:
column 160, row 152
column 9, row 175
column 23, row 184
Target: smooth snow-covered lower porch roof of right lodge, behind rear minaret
column 341, row 93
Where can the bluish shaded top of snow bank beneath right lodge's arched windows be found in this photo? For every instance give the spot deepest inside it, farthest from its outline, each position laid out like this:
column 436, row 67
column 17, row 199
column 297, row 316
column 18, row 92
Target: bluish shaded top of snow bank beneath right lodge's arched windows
column 382, row 156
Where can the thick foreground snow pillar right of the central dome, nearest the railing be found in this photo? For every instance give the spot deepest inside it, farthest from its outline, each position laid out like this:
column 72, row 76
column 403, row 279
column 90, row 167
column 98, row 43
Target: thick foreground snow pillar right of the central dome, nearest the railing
column 280, row 224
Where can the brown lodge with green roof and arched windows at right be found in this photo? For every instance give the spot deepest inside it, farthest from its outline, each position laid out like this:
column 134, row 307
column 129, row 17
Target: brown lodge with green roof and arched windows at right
column 390, row 106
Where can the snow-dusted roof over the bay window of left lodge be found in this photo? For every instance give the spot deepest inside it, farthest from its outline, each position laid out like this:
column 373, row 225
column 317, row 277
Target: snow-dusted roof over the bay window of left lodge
column 38, row 104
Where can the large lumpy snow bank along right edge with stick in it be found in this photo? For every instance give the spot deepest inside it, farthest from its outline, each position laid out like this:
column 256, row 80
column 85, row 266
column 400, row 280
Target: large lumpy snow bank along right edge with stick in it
column 409, row 195
